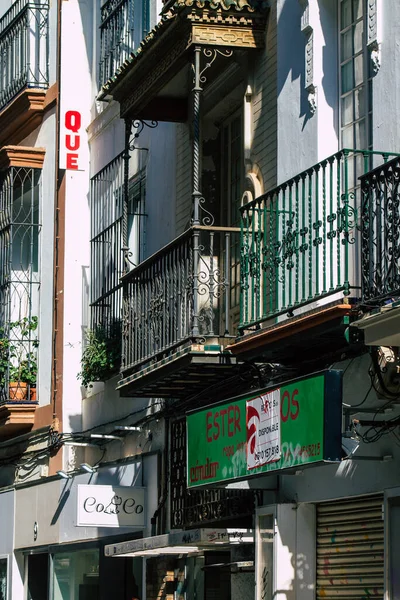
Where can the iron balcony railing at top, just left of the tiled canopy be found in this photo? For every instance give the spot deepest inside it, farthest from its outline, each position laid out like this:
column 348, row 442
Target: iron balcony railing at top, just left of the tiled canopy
column 116, row 37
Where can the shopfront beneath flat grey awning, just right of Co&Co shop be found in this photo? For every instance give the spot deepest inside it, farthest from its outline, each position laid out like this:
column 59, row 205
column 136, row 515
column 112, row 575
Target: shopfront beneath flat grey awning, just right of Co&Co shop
column 199, row 563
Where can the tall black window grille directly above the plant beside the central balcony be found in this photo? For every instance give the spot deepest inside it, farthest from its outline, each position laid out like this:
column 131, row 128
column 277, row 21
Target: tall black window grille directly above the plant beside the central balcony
column 107, row 243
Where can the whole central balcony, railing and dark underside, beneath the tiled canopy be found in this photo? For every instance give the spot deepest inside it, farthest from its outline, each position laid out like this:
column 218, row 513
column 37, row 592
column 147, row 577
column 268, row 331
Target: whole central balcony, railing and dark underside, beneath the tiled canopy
column 180, row 311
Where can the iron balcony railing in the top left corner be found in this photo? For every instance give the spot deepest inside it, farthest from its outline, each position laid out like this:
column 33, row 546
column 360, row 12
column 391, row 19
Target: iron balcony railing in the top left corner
column 24, row 48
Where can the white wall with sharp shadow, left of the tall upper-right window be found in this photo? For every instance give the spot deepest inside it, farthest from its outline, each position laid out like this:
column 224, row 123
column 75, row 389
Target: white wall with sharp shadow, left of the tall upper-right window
column 305, row 138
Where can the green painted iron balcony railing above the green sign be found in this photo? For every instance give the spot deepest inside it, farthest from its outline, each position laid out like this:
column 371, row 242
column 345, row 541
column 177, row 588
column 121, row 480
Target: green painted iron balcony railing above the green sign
column 300, row 241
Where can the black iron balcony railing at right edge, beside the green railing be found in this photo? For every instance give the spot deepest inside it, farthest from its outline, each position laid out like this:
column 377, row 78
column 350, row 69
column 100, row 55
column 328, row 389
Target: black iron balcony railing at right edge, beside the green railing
column 381, row 233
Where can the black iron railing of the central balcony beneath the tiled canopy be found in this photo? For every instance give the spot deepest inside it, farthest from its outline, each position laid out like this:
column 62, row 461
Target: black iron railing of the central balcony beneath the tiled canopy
column 184, row 292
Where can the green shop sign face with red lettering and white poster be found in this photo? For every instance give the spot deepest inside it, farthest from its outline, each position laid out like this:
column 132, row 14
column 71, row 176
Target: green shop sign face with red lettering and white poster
column 281, row 428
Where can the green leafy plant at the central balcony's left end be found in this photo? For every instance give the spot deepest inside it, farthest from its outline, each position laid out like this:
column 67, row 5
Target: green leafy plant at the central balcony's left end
column 101, row 357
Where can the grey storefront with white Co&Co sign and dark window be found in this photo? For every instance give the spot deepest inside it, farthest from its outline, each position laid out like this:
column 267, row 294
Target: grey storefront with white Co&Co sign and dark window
column 64, row 526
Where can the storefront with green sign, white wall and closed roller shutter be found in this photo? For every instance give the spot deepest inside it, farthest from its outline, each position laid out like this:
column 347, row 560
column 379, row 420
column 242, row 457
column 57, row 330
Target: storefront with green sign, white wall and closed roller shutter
column 331, row 527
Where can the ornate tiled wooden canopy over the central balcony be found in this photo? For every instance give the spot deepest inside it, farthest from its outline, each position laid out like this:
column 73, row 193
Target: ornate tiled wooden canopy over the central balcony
column 154, row 82
